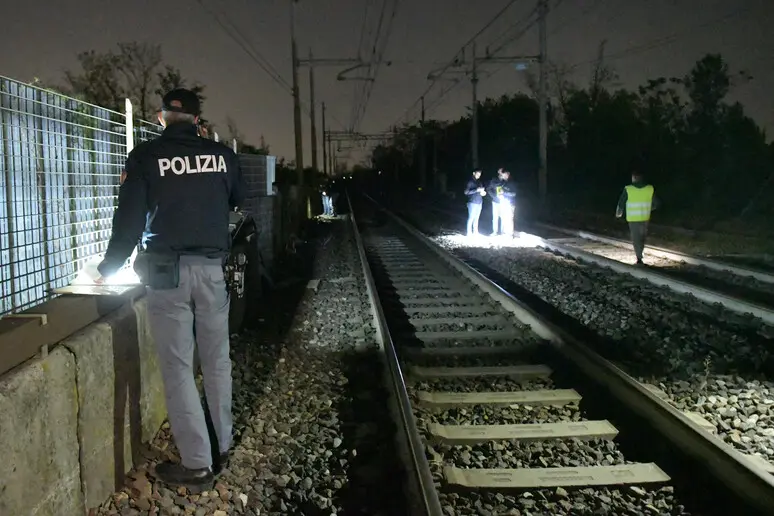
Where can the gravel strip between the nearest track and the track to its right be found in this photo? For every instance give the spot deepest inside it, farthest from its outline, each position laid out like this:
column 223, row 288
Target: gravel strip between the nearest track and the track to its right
column 705, row 358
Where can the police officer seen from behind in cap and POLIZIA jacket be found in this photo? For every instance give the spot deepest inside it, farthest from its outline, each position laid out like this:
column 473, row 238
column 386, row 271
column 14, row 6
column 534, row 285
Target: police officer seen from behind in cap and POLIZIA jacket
column 176, row 197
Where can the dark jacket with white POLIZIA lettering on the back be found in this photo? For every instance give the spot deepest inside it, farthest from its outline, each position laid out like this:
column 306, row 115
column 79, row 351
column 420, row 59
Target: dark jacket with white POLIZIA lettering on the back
column 177, row 195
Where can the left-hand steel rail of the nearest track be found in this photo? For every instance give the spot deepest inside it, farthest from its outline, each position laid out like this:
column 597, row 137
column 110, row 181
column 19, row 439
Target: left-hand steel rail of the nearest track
column 420, row 468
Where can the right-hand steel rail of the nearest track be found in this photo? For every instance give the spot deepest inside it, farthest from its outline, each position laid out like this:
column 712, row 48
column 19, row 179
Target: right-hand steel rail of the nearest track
column 748, row 481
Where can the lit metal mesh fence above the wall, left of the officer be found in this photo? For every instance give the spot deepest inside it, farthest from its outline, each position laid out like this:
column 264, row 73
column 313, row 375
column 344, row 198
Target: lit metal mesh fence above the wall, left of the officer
column 60, row 164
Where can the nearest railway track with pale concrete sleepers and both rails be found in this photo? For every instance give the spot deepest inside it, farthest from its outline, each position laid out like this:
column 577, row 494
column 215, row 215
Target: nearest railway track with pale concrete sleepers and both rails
column 508, row 414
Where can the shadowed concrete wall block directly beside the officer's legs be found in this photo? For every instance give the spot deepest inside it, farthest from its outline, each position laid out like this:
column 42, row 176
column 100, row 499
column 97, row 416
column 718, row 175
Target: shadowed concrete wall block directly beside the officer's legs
column 120, row 397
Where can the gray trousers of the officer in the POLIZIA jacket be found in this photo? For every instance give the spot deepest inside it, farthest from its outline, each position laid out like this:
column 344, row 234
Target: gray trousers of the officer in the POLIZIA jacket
column 200, row 301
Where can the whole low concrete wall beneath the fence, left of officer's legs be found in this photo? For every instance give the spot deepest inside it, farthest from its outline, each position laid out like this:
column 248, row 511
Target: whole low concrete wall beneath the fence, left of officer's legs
column 73, row 423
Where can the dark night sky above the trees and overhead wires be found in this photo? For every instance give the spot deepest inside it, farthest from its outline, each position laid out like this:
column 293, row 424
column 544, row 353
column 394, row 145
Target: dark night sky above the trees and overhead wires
column 670, row 35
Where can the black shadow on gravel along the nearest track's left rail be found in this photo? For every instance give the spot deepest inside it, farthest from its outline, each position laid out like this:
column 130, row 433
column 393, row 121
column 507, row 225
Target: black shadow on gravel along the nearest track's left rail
column 375, row 476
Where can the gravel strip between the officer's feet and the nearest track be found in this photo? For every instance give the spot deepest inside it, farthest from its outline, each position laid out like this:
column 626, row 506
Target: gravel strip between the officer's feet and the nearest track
column 313, row 433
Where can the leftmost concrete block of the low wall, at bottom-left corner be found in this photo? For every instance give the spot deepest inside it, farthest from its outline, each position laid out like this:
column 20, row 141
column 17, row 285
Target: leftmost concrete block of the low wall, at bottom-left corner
column 39, row 453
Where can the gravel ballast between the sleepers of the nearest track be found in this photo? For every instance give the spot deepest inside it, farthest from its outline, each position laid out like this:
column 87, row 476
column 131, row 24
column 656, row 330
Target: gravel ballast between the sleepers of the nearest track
column 514, row 454
